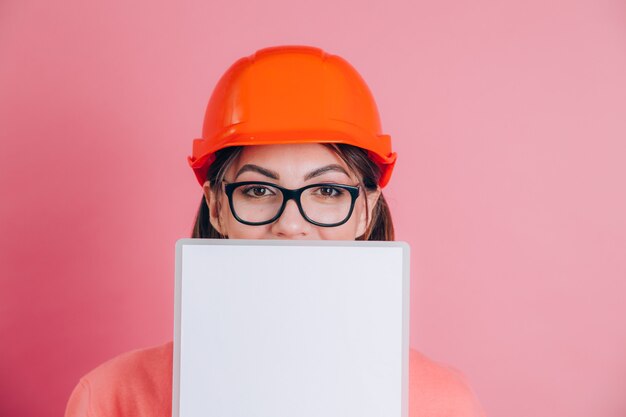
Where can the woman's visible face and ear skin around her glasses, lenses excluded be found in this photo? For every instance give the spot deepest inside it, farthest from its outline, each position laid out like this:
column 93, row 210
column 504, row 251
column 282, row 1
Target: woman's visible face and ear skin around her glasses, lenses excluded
column 293, row 165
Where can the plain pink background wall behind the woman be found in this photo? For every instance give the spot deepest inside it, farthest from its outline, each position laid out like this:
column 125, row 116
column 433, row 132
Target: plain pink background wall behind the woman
column 509, row 119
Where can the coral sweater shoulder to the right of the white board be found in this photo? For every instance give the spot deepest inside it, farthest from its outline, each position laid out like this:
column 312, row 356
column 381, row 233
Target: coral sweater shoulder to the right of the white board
column 437, row 389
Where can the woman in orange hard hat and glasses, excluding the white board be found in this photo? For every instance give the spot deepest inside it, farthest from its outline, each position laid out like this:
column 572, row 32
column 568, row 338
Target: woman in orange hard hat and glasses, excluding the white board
column 291, row 149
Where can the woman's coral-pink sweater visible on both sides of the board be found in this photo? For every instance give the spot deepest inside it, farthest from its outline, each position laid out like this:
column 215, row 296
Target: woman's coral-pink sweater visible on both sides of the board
column 139, row 384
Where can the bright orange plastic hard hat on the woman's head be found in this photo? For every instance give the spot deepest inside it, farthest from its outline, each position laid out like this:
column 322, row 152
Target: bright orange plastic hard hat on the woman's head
column 291, row 94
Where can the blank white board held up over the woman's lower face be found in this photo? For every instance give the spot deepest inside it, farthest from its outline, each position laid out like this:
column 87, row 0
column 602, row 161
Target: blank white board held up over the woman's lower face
column 291, row 329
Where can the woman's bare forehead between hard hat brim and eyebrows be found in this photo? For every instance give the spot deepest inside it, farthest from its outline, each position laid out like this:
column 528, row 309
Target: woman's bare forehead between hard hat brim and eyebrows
column 289, row 159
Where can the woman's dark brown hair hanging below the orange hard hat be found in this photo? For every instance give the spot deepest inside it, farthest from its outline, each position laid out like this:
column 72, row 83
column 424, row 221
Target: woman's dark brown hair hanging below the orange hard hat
column 380, row 226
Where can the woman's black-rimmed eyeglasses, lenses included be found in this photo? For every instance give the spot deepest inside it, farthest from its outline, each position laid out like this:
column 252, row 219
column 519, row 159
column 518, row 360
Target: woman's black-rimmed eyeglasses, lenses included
column 256, row 203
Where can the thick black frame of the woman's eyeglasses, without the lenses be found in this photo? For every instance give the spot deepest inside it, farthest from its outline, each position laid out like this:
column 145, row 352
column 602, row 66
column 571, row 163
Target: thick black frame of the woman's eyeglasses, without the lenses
column 289, row 194
